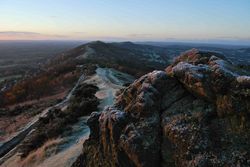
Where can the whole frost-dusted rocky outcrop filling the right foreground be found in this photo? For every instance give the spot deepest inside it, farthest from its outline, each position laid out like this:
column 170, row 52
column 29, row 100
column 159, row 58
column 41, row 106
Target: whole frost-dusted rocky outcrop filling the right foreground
column 194, row 114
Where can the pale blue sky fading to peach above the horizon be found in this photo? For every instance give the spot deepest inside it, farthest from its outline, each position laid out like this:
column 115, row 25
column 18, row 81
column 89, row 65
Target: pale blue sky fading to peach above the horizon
column 121, row 20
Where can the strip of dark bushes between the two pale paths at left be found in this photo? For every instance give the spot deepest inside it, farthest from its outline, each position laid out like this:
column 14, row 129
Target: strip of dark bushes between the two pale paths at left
column 82, row 103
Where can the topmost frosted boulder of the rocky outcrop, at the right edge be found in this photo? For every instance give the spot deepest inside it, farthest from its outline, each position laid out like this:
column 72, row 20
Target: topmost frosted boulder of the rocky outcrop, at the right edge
column 214, row 79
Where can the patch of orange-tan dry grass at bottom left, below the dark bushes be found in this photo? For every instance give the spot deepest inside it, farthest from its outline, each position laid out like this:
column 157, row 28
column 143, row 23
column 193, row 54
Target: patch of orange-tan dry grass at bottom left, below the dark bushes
column 49, row 148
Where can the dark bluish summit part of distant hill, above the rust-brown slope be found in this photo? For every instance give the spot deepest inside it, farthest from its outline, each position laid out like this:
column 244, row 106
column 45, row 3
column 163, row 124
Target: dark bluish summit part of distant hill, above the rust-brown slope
column 126, row 56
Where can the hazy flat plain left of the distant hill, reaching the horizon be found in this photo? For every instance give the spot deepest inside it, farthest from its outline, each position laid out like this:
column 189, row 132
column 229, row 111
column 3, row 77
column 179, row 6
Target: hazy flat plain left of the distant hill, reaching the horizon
column 18, row 57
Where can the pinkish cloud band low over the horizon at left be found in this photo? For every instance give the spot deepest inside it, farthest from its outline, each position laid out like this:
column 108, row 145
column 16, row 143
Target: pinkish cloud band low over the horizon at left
column 26, row 35
